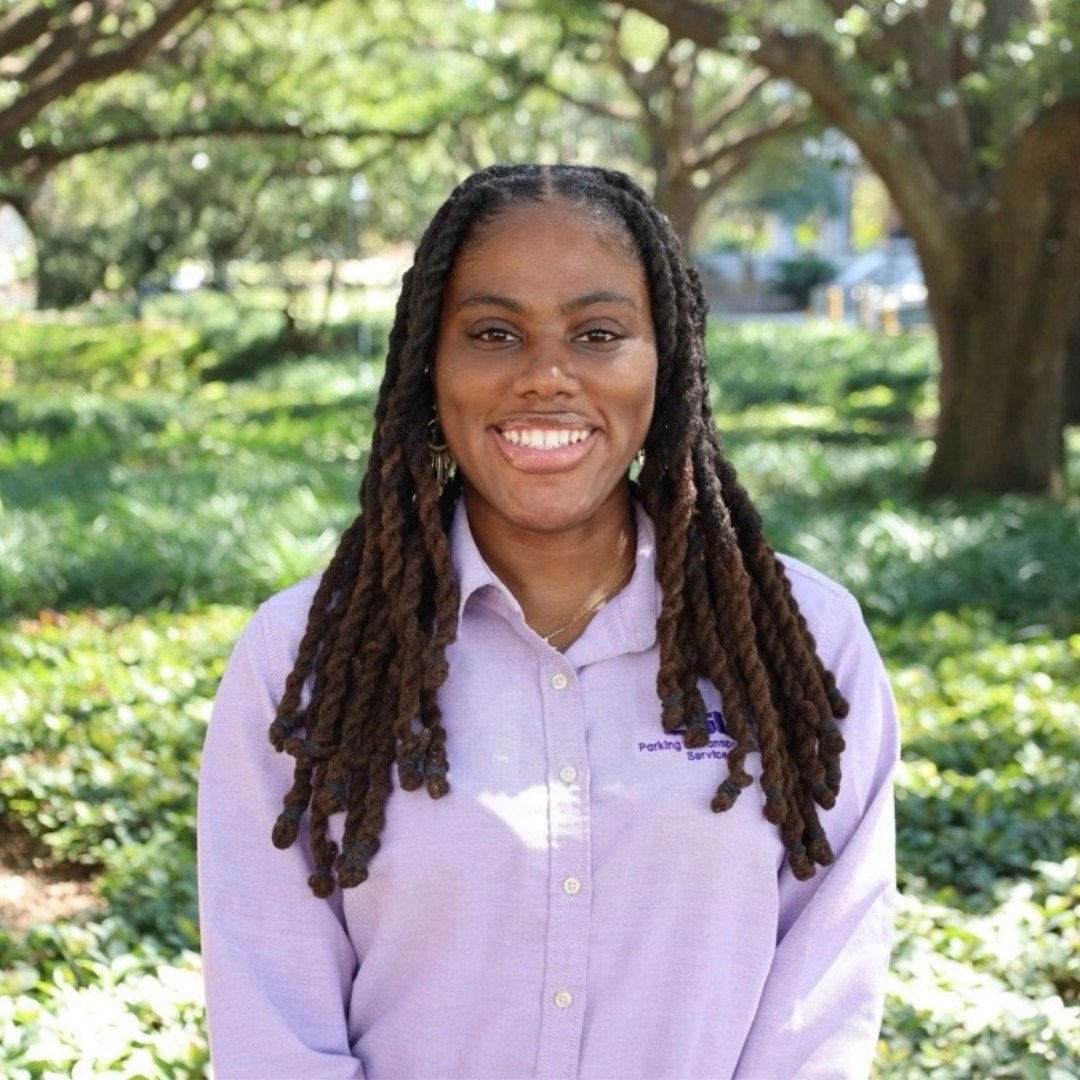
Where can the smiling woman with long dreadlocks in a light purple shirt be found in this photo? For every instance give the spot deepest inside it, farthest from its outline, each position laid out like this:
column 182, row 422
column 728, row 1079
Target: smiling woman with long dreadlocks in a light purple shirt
column 622, row 708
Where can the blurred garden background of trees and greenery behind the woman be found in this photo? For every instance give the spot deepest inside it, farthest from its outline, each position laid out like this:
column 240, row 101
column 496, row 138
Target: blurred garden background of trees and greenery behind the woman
column 206, row 211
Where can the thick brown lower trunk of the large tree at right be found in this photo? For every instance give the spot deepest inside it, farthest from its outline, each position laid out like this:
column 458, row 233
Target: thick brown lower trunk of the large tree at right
column 1005, row 301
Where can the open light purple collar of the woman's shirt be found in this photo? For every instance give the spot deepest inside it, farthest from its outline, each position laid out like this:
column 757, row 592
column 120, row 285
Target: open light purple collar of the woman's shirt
column 627, row 625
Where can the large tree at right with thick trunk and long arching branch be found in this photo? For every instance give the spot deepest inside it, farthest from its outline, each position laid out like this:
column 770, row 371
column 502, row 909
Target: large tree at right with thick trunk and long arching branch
column 970, row 114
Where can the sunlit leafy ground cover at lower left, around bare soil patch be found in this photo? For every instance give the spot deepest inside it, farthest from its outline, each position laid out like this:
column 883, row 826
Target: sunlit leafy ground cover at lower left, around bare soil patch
column 100, row 755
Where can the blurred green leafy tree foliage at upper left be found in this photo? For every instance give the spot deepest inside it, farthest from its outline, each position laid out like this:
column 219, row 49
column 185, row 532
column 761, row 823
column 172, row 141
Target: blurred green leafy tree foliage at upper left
column 336, row 97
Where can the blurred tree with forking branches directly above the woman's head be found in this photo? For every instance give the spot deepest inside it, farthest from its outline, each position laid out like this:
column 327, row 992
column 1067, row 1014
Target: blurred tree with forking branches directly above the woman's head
column 693, row 118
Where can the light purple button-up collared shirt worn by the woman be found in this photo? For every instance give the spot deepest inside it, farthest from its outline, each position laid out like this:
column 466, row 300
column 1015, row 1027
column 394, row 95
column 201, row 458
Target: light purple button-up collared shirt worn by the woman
column 573, row 908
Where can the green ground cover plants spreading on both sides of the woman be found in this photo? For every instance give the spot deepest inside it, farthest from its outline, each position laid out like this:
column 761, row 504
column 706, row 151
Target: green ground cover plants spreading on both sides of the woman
column 145, row 508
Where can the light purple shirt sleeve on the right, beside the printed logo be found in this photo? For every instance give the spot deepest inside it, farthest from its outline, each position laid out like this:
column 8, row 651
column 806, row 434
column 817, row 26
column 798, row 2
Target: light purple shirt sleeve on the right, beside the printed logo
column 820, row 1014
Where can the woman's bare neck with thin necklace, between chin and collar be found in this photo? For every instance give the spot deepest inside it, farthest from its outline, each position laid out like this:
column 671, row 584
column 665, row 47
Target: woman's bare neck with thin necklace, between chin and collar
column 559, row 576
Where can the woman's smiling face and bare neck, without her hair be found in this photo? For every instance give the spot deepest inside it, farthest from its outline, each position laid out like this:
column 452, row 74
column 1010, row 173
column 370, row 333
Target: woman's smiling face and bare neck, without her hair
column 545, row 387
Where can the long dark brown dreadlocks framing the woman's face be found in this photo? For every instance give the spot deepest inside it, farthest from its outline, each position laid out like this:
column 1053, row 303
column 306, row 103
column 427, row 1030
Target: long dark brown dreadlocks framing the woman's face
column 363, row 695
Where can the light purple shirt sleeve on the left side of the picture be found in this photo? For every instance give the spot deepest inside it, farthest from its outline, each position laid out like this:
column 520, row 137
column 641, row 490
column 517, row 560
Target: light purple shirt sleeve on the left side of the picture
column 278, row 962
